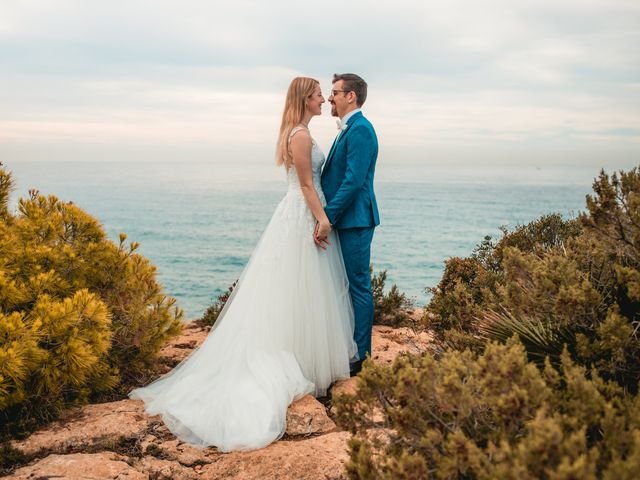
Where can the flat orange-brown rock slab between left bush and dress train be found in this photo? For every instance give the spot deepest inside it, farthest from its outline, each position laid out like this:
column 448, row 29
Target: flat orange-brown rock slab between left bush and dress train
column 90, row 425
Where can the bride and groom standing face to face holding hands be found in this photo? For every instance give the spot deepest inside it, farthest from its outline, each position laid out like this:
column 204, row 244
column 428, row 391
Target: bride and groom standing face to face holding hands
column 301, row 314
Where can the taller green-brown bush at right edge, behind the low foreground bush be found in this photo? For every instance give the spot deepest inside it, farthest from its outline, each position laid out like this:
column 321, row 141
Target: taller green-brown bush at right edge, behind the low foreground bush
column 555, row 283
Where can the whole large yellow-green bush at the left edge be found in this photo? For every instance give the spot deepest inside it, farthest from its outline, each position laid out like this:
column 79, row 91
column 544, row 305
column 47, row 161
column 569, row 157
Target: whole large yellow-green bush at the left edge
column 78, row 313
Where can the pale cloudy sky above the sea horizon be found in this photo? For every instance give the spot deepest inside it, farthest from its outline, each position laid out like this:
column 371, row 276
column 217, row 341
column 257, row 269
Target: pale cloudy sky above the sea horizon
column 519, row 82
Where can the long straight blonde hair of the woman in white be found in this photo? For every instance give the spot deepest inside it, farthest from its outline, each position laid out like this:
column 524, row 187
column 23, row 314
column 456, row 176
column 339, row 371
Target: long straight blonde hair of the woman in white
column 300, row 89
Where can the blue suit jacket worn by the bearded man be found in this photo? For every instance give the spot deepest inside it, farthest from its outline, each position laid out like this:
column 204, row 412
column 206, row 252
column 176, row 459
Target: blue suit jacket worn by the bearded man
column 347, row 176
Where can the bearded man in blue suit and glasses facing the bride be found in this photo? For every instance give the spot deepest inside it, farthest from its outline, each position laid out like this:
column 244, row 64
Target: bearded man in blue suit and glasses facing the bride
column 347, row 182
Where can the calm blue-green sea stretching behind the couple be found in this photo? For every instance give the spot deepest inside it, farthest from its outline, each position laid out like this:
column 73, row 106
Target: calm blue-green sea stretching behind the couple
column 199, row 222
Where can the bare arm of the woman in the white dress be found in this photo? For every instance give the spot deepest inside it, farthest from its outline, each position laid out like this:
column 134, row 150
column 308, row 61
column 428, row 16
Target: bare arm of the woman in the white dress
column 301, row 154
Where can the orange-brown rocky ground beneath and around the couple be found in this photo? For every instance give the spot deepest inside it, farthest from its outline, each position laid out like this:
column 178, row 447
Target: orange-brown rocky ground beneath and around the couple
column 117, row 440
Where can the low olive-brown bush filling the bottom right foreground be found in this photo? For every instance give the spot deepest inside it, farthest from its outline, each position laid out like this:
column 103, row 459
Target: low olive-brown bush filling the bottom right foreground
column 489, row 416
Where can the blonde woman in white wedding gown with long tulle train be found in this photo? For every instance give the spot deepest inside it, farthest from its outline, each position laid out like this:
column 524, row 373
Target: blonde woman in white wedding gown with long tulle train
column 287, row 329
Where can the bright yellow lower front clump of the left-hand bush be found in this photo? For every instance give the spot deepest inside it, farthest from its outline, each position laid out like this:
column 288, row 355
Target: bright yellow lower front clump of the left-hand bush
column 56, row 351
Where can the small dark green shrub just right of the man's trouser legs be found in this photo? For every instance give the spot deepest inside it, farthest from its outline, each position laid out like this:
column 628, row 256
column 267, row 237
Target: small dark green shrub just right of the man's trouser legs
column 390, row 308
